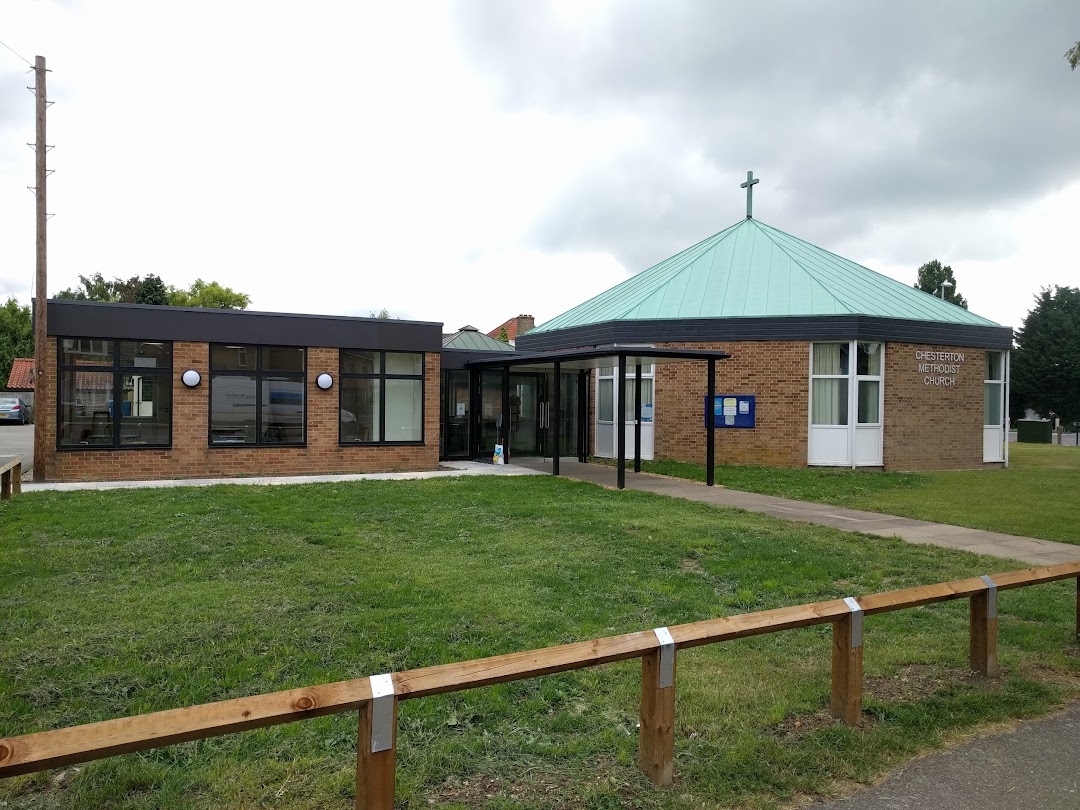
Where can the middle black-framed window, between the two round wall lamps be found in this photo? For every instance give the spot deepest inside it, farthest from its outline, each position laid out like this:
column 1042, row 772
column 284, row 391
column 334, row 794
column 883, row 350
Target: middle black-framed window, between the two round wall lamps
column 258, row 396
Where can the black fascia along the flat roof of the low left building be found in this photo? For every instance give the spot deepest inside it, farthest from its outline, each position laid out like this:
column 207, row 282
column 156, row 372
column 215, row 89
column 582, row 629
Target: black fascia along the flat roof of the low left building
column 142, row 322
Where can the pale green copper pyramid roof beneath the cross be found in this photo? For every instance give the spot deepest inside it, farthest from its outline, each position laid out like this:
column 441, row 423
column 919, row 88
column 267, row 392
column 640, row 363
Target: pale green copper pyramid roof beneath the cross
column 751, row 271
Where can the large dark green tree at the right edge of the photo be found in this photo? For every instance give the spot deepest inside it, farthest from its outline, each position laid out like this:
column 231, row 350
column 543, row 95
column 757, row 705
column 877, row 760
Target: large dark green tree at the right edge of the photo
column 1046, row 367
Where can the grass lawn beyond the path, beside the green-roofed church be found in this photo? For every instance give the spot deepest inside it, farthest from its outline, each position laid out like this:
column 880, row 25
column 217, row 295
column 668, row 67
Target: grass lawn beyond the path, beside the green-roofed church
column 1038, row 495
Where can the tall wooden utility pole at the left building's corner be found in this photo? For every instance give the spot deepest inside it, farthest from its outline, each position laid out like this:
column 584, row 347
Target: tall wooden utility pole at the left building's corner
column 42, row 380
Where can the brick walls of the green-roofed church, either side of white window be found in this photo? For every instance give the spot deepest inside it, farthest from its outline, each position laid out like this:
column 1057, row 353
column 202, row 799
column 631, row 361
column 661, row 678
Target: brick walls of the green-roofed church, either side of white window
column 926, row 427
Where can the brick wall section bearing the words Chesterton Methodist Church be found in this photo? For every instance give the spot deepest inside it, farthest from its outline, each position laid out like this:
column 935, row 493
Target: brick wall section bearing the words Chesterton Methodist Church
column 933, row 427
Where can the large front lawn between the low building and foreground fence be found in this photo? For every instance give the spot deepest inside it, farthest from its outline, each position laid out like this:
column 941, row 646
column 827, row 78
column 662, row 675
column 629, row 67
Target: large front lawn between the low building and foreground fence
column 118, row 603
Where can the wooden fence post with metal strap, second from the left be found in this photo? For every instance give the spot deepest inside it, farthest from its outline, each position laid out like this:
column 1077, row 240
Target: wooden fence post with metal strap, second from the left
column 657, row 736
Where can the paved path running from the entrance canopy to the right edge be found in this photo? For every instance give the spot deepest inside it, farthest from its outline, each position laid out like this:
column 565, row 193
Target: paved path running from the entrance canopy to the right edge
column 992, row 544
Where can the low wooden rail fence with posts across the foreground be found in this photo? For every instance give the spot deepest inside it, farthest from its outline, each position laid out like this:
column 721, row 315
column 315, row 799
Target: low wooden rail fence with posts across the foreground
column 376, row 698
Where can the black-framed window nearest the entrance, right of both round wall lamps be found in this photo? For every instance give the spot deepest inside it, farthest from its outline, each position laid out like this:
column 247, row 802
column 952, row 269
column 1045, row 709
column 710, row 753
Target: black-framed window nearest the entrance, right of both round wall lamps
column 382, row 397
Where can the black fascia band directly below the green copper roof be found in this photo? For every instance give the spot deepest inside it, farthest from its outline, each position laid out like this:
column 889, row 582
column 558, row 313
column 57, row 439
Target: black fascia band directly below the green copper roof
column 804, row 328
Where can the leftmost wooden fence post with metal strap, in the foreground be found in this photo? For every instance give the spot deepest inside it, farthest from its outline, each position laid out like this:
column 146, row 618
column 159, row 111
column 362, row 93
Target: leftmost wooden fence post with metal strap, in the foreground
column 376, row 747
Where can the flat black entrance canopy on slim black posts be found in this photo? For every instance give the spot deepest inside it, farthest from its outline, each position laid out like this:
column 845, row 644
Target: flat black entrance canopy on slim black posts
column 585, row 360
